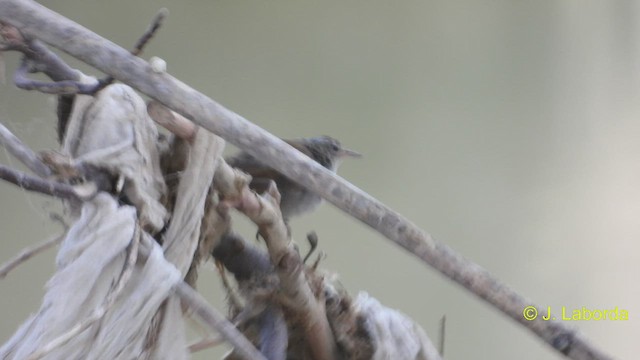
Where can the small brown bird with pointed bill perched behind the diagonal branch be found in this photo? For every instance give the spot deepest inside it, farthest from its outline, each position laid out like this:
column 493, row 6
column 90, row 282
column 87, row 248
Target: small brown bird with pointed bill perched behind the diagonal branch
column 295, row 199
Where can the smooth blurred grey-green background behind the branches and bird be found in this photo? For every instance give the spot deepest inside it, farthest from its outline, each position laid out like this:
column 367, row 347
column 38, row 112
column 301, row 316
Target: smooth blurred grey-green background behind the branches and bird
column 509, row 130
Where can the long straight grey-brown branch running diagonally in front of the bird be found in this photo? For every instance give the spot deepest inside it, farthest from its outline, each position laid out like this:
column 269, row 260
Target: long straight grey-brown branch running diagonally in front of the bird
column 40, row 22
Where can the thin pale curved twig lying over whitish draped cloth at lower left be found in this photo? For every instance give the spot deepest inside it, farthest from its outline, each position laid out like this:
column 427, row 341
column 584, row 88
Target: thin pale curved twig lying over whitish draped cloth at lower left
column 99, row 312
